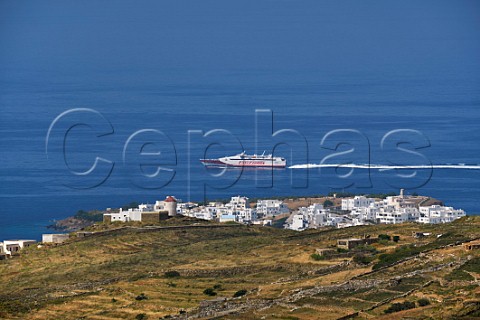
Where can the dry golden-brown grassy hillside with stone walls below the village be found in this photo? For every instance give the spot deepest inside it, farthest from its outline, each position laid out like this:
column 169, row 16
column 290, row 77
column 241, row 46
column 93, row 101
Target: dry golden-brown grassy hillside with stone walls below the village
column 195, row 272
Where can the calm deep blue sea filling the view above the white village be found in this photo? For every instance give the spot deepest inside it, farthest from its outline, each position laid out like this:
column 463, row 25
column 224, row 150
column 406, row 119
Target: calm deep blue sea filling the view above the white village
column 318, row 67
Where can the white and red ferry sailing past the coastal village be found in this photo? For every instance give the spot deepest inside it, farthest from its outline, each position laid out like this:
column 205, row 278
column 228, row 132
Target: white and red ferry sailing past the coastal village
column 245, row 160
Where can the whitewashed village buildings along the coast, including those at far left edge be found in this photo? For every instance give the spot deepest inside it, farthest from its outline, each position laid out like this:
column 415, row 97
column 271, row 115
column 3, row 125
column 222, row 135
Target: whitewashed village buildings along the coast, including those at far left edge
column 350, row 211
